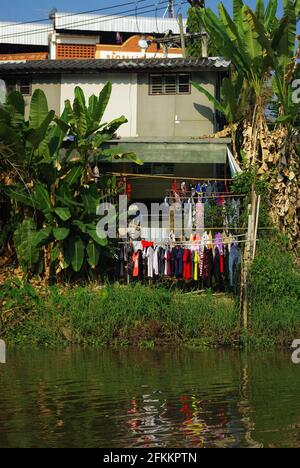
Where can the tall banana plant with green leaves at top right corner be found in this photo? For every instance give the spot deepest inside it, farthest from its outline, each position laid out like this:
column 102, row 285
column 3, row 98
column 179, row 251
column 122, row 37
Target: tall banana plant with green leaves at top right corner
column 255, row 42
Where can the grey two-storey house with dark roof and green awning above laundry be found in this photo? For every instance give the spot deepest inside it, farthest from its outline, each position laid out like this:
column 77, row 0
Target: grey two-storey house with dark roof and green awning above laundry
column 167, row 116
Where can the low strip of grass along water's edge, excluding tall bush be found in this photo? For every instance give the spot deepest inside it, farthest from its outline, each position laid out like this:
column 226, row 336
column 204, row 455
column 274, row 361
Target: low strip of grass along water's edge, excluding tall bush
column 133, row 316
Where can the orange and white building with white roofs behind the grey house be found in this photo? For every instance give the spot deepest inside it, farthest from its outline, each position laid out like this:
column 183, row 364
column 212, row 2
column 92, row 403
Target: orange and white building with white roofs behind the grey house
column 84, row 36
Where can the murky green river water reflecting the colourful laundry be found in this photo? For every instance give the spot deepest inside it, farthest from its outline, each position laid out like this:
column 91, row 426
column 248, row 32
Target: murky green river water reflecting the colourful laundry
column 149, row 398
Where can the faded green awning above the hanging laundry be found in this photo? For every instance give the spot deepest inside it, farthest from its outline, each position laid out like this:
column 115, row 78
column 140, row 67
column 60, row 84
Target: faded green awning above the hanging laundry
column 174, row 151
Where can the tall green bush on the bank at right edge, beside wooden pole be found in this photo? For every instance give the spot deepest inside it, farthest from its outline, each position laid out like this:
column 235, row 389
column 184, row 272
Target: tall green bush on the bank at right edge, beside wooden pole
column 274, row 289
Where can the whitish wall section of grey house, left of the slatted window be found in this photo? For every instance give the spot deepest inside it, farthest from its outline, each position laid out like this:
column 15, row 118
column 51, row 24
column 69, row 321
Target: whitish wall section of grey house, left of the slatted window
column 123, row 100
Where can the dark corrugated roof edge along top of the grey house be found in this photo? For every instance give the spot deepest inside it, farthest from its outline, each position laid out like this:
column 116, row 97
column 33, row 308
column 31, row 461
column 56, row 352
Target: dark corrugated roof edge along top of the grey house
column 88, row 66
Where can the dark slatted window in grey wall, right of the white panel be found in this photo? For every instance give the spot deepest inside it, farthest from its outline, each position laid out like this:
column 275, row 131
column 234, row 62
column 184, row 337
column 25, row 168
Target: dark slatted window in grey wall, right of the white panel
column 170, row 84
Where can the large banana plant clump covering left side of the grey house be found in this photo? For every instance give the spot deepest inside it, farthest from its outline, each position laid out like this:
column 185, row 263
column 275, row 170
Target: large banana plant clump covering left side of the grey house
column 55, row 195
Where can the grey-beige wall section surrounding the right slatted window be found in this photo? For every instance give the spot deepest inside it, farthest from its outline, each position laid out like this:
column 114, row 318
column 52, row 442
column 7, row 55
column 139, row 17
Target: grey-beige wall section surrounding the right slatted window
column 176, row 115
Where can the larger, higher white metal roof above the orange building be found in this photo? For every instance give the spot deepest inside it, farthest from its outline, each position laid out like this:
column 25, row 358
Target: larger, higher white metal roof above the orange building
column 130, row 23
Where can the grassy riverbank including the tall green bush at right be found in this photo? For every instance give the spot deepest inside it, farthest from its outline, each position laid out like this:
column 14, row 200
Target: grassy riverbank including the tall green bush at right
column 32, row 314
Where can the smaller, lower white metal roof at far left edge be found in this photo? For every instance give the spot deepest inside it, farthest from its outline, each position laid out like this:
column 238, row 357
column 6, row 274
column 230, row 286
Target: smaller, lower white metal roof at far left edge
column 25, row 34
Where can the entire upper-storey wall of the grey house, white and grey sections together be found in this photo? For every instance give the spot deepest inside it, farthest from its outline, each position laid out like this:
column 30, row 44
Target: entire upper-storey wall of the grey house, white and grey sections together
column 148, row 116
